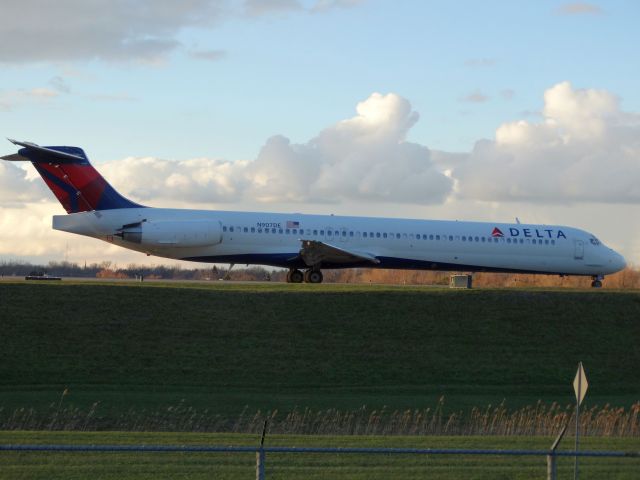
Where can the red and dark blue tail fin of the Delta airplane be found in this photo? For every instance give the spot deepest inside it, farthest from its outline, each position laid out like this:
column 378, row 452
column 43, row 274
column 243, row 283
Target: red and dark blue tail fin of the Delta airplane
column 72, row 179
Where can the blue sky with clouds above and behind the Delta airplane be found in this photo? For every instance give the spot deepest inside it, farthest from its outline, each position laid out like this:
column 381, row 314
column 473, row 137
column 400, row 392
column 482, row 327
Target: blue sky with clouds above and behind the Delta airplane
column 422, row 109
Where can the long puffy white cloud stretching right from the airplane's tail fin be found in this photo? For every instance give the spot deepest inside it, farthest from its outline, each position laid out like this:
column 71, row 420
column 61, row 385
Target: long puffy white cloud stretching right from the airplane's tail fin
column 365, row 157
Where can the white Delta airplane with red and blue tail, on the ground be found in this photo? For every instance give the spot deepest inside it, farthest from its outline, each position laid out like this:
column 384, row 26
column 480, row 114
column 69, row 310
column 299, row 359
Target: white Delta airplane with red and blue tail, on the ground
column 306, row 244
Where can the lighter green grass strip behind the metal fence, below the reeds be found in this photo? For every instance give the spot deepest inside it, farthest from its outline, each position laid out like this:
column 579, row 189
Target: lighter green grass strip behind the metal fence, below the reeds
column 39, row 465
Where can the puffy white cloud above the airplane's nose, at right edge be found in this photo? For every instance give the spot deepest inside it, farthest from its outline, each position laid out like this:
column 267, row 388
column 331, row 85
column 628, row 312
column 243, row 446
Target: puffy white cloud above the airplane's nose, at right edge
column 584, row 149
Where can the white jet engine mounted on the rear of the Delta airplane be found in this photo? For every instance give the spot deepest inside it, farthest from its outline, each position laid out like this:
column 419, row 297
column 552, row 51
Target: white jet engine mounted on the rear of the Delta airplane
column 177, row 233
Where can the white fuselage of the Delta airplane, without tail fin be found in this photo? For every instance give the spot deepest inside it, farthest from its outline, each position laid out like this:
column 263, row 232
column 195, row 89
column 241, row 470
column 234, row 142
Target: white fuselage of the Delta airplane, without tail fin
column 275, row 239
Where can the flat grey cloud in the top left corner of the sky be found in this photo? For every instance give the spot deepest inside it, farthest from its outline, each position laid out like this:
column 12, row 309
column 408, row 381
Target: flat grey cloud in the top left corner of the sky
column 122, row 30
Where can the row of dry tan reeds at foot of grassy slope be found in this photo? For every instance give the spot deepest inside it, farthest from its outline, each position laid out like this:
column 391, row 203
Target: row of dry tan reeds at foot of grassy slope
column 539, row 419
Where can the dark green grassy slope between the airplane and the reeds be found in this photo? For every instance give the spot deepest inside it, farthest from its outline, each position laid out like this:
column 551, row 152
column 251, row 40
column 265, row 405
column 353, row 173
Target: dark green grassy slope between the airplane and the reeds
column 131, row 354
